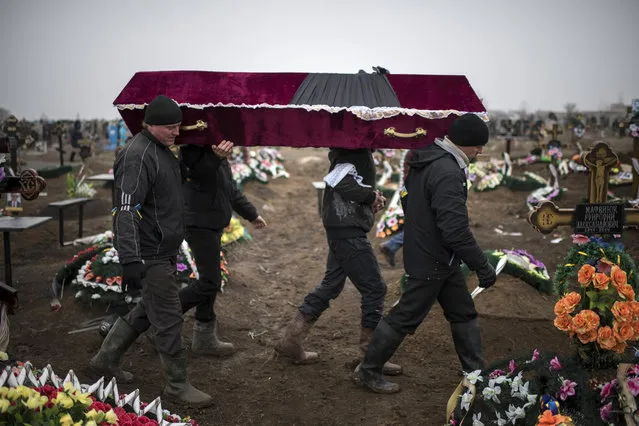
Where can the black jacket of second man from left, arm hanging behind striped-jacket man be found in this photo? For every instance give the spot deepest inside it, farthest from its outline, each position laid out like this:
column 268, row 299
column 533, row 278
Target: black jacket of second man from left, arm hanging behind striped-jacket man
column 210, row 191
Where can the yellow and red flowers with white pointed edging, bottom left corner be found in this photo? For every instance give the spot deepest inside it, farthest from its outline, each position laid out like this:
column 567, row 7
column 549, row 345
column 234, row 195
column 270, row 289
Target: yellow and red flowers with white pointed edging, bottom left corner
column 40, row 397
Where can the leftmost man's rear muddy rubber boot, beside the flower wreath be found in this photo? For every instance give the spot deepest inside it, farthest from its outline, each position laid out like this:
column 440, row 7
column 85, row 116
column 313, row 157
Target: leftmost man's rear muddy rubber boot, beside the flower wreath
column 107, row 361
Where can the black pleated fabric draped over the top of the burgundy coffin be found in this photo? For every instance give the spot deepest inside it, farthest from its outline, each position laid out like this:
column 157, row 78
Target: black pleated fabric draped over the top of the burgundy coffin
column 346, row 90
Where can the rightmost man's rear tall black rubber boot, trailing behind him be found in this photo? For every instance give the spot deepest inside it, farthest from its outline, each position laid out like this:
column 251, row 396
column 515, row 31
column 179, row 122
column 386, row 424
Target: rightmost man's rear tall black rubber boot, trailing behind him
column 369, row 373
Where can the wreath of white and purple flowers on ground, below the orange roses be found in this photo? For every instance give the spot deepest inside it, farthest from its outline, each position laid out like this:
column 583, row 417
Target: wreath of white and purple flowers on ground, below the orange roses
column 543, row 390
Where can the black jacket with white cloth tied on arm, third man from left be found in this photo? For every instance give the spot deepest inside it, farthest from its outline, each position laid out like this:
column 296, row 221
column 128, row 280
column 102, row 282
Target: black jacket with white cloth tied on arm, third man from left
column 347, row 206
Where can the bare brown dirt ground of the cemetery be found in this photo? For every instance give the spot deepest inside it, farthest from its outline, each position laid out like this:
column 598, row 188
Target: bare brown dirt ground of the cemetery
column 270, row 275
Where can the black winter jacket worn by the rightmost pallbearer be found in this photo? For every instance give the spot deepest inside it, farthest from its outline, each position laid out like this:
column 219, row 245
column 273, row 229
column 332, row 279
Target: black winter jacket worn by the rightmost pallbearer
column 436, row 233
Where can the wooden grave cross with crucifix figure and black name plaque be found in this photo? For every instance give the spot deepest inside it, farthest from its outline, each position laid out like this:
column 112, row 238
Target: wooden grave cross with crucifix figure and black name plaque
column 596, row 216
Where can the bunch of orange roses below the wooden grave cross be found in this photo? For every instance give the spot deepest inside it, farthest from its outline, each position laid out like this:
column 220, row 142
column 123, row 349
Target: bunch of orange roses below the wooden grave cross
column 603, row 318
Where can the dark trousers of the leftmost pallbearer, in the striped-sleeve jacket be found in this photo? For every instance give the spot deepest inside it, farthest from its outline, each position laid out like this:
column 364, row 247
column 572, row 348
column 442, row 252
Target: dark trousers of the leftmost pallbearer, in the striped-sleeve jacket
column 160, row 306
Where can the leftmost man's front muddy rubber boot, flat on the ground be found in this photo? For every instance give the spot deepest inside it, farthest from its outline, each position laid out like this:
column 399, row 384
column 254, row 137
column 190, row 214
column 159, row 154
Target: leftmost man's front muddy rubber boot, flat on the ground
column 178, row 389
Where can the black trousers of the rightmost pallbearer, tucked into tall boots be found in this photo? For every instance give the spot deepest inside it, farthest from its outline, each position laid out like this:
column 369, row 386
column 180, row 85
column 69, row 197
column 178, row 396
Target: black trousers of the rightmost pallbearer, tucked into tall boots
column 419, row 295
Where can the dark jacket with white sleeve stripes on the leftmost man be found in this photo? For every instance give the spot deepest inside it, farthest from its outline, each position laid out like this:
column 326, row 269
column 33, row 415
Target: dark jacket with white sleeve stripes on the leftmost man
column 148, row 221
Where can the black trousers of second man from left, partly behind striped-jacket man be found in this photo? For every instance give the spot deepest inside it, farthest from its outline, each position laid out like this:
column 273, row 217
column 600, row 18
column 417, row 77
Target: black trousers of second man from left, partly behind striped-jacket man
column 205, row 245
